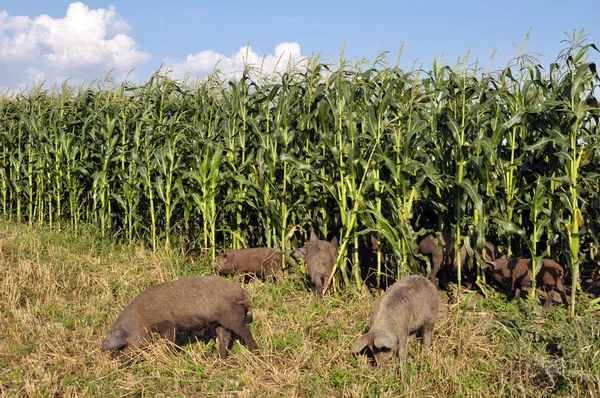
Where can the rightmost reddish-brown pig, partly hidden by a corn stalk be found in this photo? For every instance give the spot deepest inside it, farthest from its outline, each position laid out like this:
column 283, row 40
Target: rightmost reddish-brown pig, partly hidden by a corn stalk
column 516, row 273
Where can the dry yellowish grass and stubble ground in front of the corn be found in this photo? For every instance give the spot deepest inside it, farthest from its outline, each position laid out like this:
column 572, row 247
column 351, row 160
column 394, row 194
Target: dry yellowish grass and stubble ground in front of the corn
column 60, row 292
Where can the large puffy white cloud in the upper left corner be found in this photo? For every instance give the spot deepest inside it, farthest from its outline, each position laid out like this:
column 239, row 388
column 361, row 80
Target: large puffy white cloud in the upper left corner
column 84, row 45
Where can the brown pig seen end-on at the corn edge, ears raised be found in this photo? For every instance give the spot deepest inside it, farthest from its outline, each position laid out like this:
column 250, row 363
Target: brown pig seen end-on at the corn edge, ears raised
column 320, row 257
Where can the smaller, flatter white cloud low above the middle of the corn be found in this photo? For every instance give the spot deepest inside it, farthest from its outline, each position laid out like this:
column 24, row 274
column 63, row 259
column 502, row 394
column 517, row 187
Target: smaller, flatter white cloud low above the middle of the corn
column 286, row 55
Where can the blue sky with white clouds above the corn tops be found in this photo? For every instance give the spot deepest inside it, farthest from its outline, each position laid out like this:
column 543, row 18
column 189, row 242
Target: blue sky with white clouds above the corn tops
column 57, row 39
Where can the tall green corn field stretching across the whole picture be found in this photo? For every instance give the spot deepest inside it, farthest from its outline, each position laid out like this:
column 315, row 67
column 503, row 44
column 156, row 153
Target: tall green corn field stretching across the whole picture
column 510, row 156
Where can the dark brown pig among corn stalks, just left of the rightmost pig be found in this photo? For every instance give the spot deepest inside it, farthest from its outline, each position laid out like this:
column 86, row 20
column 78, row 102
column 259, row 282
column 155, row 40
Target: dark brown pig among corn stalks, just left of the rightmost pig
column 441, row 257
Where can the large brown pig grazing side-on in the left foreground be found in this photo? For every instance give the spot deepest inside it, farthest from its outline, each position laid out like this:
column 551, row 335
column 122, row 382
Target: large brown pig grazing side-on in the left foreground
column 185, row 305
